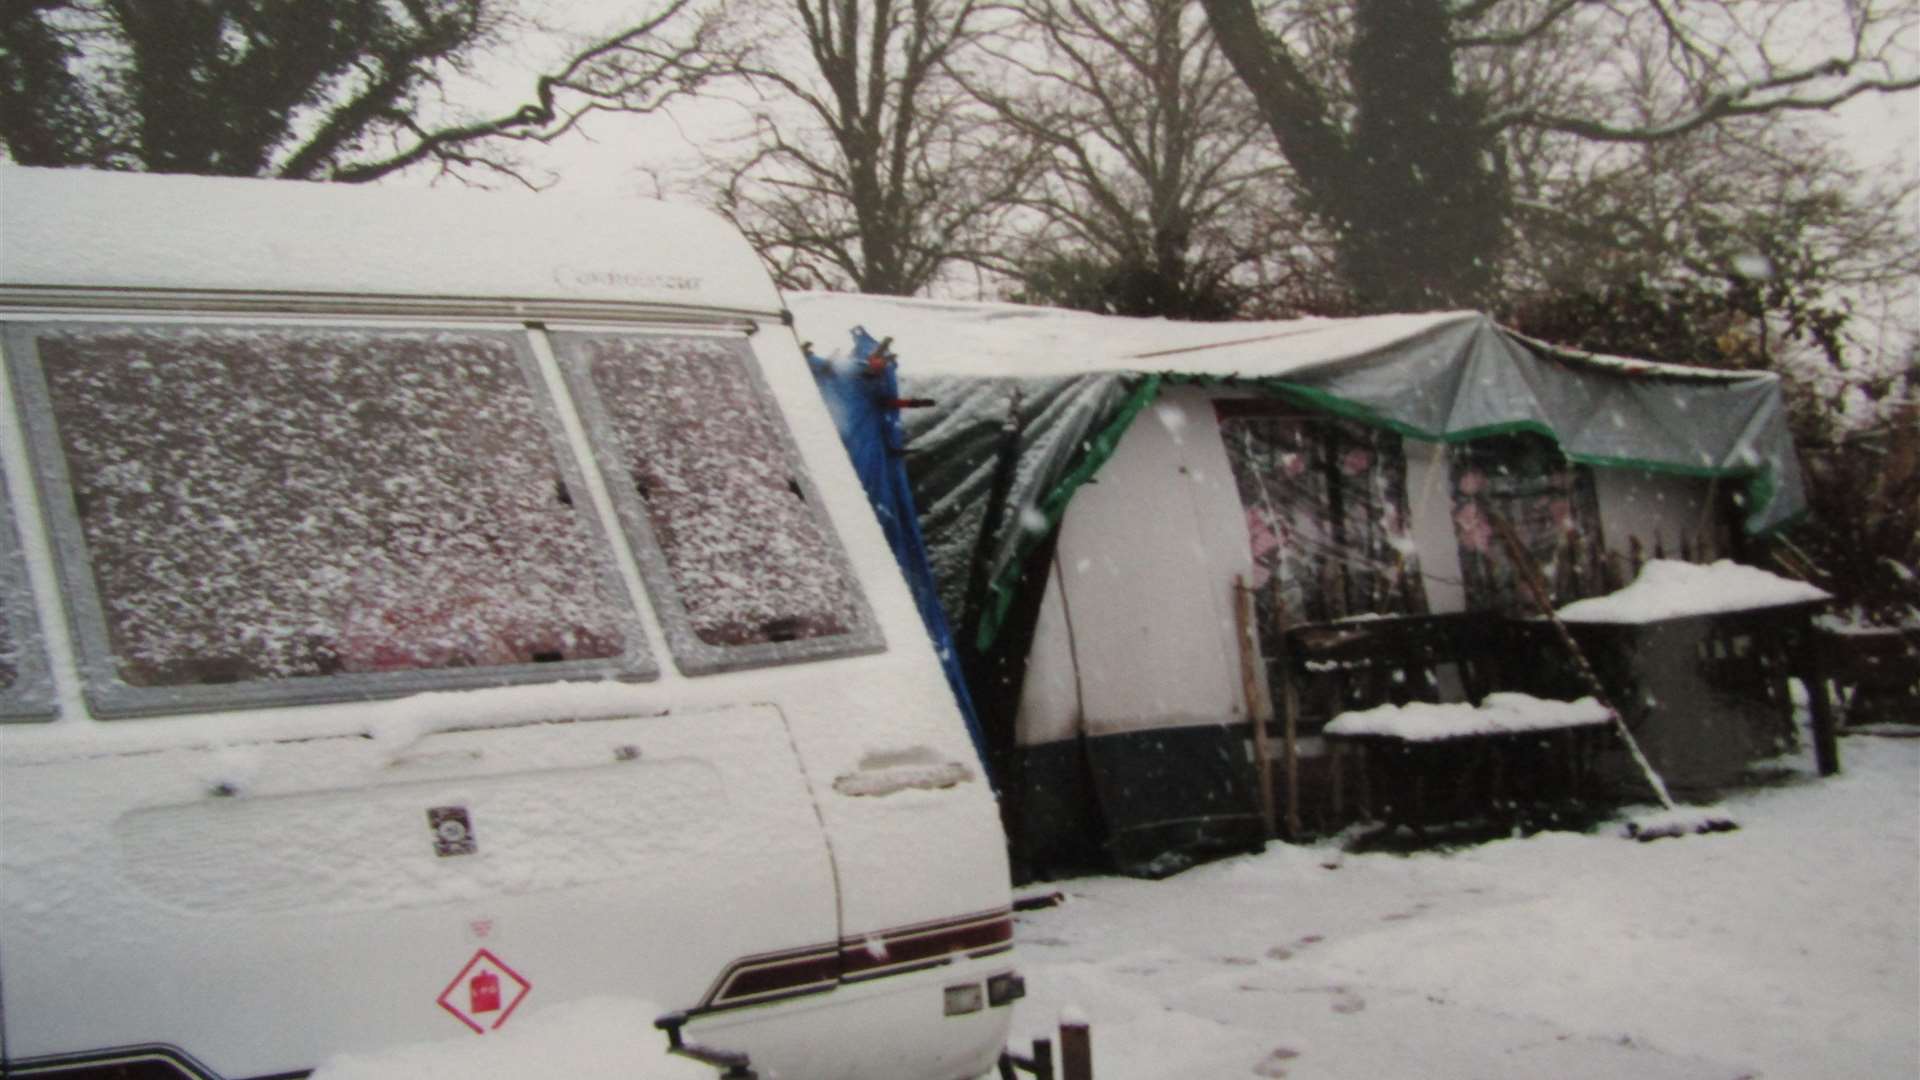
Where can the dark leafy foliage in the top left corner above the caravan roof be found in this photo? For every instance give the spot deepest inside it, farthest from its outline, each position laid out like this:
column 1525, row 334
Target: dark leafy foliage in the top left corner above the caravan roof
column 220, row 87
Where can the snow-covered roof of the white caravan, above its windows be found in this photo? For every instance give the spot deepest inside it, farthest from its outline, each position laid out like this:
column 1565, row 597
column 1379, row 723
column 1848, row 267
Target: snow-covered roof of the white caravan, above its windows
column 126, row 232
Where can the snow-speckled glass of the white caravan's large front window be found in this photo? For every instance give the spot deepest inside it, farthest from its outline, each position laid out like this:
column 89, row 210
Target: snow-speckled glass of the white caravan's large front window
column 293, row 503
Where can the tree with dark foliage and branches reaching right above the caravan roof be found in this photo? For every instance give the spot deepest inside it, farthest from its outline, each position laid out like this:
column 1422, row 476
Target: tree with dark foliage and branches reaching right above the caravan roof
column 343, row 91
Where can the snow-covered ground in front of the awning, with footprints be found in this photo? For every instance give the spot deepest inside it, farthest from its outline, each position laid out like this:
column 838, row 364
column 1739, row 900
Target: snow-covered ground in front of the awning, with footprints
column 1785, row 950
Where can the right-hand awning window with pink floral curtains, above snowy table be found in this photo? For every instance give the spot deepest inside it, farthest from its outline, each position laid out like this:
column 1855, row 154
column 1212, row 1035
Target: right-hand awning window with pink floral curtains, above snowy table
column 1552, row 508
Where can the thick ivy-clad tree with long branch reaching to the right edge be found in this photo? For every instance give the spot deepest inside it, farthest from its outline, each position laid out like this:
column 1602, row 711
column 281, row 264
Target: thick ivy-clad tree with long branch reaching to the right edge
column 1408, row 139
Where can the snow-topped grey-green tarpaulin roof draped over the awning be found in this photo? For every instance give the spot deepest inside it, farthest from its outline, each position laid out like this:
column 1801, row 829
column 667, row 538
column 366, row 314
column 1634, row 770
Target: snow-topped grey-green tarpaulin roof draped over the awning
column 1447, row 378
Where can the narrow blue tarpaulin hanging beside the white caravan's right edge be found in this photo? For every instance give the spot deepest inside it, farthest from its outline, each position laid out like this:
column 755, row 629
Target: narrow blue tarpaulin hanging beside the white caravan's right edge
column 865, row 399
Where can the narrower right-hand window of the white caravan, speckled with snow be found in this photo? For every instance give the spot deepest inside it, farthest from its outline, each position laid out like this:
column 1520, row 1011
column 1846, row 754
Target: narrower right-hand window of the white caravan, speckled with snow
column 725, row 520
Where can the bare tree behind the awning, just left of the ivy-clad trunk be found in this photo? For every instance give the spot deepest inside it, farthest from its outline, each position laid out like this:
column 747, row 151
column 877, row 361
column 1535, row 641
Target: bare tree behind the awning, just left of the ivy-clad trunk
column 1157, row 166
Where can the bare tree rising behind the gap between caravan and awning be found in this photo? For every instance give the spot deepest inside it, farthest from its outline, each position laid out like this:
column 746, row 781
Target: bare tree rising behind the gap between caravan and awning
column 869, row 168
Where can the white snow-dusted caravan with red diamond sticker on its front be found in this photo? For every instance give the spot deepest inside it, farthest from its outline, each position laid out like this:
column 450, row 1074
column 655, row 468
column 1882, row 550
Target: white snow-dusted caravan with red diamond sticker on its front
column 431, row 608
